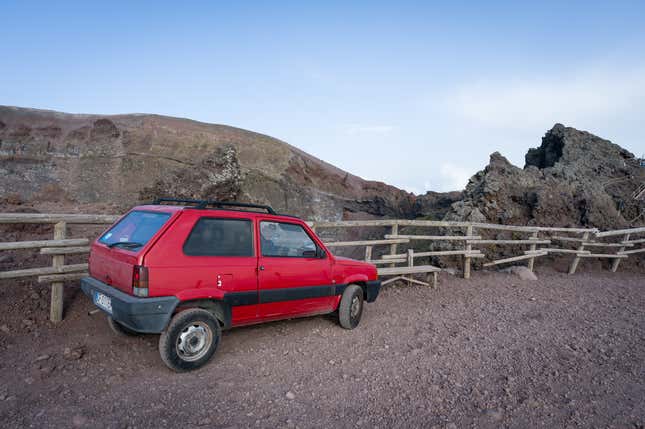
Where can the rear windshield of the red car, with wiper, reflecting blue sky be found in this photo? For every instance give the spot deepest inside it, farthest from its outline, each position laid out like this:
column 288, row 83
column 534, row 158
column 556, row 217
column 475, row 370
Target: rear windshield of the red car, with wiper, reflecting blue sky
column 134, row 230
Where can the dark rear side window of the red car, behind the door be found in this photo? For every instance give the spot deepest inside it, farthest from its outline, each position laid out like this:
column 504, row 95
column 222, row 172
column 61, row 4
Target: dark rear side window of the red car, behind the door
column 220, row 237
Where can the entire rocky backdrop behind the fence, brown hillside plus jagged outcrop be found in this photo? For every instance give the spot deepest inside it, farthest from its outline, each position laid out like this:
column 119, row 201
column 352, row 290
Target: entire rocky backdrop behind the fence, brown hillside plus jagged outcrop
column 50, row 158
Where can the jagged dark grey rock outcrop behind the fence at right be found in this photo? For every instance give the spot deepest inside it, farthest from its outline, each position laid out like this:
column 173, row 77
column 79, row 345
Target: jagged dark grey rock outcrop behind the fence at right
column 573, row 178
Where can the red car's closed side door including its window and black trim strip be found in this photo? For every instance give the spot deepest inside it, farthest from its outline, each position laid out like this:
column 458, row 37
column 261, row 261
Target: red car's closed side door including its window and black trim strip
column 294, row 274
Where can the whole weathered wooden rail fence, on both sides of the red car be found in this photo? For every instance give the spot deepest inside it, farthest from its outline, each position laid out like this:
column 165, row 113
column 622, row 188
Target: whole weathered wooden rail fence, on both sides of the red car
column 467, row 240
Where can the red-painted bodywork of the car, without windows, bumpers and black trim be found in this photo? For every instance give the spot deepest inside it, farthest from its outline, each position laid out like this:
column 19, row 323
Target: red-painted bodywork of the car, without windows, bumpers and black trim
column 172, row 273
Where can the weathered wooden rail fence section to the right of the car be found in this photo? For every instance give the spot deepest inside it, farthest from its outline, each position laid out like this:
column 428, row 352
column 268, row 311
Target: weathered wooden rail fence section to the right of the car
column 469, row 242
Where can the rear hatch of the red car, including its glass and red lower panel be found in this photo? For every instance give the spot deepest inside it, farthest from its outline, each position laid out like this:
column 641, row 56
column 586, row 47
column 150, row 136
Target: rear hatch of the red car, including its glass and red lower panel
column 115, row 253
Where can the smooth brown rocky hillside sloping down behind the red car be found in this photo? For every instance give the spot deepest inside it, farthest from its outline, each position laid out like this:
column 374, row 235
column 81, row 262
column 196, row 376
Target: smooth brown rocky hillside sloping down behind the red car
column 127, row 159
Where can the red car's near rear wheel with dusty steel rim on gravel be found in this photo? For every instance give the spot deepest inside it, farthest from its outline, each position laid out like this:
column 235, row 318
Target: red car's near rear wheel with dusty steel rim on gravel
column 190, row 340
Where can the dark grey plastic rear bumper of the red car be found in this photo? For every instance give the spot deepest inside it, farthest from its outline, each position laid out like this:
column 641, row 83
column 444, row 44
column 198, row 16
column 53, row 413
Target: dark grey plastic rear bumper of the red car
column 144, row 315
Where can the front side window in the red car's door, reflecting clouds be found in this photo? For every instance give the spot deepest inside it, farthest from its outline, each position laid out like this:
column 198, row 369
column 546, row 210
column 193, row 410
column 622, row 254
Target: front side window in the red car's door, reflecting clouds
column 285, row 239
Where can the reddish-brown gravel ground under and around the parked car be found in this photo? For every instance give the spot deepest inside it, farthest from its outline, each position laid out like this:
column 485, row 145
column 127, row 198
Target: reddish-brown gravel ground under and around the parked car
column 493, row 351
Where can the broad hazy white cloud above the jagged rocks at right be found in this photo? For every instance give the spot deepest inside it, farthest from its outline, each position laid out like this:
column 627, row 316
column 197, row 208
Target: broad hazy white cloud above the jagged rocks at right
column 522, row 103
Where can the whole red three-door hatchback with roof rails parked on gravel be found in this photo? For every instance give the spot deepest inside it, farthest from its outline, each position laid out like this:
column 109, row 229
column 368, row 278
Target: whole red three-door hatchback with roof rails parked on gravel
column 188, row 269
